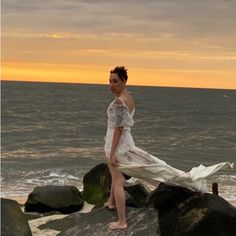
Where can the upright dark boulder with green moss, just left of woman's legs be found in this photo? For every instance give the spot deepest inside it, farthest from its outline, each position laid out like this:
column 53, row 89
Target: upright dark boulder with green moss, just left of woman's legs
column 97, row 184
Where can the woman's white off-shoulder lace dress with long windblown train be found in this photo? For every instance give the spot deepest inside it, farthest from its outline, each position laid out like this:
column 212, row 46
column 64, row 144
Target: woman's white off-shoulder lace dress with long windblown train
column 144, row 167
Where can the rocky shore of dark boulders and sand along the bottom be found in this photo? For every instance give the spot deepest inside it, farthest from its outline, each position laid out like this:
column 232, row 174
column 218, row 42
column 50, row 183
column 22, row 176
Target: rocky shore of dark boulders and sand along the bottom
column 167, row 211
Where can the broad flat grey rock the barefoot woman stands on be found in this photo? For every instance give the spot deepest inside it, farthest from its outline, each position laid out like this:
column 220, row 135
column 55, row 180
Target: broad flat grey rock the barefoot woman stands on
column 141, row 221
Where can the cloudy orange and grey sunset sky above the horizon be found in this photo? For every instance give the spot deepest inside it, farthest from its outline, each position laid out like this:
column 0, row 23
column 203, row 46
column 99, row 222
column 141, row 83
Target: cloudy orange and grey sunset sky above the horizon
column 179, row 43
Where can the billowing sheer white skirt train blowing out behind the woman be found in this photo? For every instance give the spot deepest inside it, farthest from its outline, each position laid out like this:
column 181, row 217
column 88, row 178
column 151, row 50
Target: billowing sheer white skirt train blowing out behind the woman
column 150, row 171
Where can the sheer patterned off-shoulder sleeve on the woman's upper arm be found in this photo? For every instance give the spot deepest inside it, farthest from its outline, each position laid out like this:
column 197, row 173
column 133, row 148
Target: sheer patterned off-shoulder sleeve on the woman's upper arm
column 122, row 118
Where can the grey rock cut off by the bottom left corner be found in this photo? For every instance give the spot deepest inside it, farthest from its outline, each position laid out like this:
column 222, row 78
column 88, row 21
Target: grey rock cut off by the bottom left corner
column 13, row 220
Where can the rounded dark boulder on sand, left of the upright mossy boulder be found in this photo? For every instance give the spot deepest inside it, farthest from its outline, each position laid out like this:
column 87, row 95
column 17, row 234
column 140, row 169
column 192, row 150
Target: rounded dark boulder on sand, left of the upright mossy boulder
column 64, row 199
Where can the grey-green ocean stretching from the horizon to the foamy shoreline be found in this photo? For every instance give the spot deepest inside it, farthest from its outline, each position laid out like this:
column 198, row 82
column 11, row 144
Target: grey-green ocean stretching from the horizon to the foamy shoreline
column 53, row 133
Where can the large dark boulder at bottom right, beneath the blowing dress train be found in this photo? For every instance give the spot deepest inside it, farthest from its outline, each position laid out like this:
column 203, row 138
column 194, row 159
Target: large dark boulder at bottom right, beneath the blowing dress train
column 183, row 212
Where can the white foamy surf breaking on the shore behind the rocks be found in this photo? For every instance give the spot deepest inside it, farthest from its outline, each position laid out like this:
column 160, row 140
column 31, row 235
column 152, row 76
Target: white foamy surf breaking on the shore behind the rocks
column 26, row 182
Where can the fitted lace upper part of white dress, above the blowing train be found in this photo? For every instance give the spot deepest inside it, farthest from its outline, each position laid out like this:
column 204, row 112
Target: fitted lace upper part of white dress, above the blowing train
column 118, row 115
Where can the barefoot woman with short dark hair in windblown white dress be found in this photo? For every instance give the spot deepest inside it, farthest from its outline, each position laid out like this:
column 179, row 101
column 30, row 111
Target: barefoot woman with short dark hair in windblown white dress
column 124, row 157
